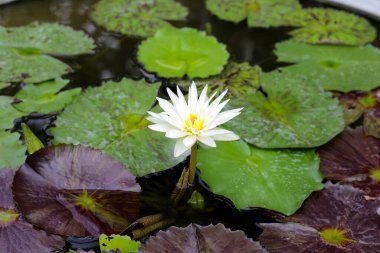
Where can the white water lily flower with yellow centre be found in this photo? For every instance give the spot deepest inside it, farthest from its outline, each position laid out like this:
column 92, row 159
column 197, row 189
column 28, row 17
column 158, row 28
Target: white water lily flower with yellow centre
column 196, row 120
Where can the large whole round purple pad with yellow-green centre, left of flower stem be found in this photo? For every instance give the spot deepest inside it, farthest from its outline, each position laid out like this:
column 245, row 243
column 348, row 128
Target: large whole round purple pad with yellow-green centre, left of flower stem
column 75, row 190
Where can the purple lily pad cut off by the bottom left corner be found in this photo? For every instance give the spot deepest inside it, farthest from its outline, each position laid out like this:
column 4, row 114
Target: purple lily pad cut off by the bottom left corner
column 17, row 235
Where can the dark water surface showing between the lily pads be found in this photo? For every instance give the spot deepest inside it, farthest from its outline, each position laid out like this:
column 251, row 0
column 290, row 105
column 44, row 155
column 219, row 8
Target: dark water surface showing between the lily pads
column 114, row 58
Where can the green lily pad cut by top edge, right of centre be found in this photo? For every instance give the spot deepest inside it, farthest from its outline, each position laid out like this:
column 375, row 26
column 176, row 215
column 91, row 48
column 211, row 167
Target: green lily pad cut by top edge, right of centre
column 260, row 13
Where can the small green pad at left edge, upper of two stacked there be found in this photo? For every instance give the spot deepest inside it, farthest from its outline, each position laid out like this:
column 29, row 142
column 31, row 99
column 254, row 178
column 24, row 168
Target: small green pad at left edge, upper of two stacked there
column 7, row 113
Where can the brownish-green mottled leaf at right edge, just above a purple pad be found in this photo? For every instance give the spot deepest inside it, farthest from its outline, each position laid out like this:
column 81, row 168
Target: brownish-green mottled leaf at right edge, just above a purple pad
column 363, row 104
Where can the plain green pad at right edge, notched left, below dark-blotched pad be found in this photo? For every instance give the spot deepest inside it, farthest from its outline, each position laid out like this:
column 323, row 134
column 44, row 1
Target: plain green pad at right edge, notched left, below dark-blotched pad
column 332, row 67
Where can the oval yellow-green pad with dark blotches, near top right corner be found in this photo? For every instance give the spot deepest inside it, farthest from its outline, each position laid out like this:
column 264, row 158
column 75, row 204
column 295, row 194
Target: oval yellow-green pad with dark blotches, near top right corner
column 328, row 26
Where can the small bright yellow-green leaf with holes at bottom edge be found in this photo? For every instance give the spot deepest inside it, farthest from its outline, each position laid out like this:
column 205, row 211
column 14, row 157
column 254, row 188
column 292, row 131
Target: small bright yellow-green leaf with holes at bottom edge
column 118, row 242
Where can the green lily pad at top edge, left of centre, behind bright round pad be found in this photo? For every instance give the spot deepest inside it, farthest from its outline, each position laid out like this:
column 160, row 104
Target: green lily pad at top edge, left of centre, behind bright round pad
column 138, row 18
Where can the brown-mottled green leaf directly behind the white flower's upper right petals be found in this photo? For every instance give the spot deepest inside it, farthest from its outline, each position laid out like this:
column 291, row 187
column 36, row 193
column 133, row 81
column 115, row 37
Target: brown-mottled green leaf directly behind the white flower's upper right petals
column 239, row 79
